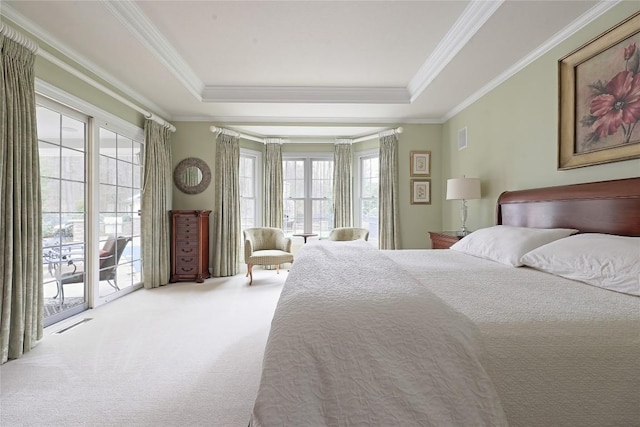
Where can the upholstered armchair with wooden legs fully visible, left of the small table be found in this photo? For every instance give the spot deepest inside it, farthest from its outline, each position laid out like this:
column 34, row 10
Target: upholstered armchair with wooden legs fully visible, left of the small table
column 265, row 246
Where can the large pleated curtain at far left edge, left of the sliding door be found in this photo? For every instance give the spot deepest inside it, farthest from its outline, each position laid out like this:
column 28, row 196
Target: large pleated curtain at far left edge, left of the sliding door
column 22, row 303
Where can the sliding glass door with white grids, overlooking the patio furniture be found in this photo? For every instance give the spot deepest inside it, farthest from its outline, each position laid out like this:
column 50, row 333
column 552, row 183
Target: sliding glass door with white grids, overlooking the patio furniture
column 91, row 180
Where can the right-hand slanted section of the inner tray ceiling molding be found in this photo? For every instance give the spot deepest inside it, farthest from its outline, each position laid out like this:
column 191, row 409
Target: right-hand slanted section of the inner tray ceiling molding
column 472, row 19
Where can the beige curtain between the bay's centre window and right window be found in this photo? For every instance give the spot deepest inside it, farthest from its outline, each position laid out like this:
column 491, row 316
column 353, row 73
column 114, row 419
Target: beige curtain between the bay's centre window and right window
column 342, row 196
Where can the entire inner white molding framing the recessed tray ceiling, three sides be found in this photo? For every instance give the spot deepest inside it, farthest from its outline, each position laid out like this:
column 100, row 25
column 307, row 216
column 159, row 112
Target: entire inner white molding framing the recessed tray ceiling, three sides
column 474, row 16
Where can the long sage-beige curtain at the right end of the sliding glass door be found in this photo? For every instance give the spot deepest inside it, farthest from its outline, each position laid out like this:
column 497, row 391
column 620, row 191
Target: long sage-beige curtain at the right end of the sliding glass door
column 156, row 203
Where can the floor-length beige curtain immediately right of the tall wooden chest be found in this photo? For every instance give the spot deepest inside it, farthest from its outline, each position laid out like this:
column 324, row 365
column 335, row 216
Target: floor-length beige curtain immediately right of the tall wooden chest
column 226, row 250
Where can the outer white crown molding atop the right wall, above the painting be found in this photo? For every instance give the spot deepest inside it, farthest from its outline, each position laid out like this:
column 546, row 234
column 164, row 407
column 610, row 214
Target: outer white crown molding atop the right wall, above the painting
column 558, row 38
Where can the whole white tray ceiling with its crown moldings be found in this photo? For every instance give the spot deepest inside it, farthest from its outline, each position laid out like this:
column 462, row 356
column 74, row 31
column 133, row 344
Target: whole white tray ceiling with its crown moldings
column 289, row 68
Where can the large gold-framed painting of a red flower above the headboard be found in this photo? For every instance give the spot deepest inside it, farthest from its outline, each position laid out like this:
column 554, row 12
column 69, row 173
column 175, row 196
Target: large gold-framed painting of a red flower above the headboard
column 599, row 110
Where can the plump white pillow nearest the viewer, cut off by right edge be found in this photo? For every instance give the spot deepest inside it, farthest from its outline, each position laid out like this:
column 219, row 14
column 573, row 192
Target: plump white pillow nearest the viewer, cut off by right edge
column 604, row 260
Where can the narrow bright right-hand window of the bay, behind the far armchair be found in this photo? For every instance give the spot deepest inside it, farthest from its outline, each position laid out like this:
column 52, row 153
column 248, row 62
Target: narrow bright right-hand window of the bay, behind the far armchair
column 368, row 178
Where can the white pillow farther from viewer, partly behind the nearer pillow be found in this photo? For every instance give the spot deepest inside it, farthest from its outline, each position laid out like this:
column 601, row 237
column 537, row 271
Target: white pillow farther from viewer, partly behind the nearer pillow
column 507, row 244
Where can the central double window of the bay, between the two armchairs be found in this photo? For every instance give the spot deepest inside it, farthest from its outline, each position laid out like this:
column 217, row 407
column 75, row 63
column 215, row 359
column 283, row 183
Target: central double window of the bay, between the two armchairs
column 308, row 194
